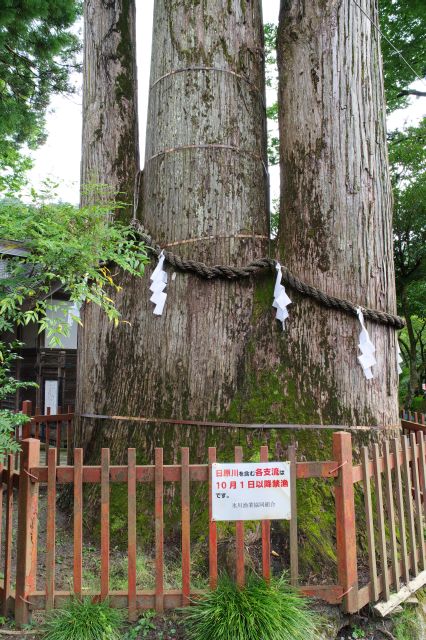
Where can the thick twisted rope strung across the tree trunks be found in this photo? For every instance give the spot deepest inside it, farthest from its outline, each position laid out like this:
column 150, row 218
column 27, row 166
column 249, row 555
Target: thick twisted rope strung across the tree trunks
column 234, row 273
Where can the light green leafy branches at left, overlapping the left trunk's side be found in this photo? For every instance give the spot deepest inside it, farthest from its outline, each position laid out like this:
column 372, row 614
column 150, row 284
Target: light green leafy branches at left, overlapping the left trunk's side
column 76, row 249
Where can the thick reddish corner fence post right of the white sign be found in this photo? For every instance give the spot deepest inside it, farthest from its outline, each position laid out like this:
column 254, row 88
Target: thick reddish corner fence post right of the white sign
column 345, row 521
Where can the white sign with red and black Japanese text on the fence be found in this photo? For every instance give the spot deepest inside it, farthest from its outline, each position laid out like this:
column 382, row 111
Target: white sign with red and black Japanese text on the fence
column 251, row 491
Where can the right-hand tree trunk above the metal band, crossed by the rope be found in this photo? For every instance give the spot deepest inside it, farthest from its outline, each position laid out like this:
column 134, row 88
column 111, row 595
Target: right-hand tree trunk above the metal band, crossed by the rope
column 335, row 227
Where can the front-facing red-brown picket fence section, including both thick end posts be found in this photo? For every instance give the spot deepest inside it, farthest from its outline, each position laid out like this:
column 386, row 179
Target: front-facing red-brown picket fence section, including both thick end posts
column 33, row 475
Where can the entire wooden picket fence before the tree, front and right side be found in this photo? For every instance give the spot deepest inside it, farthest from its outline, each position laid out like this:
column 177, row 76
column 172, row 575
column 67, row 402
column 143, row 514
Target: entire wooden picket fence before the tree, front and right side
column 392, row 482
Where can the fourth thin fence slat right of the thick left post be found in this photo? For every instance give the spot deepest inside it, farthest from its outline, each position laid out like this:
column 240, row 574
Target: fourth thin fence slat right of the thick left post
column 131, row 545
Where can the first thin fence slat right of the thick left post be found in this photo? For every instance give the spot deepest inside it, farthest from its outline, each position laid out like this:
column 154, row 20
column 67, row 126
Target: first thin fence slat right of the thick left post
column 51, row 529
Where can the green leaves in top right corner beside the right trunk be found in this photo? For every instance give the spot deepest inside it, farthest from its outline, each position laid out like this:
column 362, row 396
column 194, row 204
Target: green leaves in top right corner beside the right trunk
column 403, row 22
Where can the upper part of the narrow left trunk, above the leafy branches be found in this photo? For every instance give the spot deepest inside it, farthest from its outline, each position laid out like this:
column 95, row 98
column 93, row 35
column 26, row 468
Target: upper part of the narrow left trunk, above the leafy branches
column 110, row 151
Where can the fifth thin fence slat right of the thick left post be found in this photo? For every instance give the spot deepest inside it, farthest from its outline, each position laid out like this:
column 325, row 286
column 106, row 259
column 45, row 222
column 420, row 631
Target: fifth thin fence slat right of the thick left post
column 159, row 532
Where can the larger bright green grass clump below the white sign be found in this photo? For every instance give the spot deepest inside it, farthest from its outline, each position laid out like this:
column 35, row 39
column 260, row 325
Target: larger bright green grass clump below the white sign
column 258, row 611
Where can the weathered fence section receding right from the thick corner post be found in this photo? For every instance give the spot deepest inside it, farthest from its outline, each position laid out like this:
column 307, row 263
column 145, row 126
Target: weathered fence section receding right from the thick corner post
column 394, row 490
